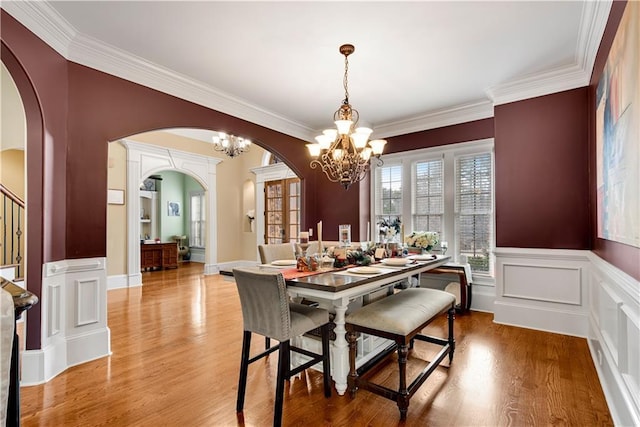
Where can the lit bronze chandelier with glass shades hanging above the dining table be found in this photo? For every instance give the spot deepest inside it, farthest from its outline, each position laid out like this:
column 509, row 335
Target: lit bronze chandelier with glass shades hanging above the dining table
column 343, row 153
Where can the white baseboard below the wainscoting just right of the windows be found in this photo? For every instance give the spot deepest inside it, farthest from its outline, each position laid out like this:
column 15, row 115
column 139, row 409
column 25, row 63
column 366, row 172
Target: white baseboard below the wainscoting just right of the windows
column 572, row 323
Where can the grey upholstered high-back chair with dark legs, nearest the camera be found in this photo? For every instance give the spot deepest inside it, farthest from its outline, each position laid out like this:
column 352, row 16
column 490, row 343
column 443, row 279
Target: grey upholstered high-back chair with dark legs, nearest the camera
column 267, row 311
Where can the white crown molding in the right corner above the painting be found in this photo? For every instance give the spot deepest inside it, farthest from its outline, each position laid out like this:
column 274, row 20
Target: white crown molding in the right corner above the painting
column 593, row 22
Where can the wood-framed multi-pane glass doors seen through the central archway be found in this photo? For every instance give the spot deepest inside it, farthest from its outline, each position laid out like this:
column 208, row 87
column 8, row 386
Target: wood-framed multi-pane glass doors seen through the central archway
column 282, row 210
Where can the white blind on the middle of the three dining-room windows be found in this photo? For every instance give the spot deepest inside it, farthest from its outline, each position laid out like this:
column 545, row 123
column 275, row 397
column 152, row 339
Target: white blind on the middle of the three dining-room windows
column 428, row 196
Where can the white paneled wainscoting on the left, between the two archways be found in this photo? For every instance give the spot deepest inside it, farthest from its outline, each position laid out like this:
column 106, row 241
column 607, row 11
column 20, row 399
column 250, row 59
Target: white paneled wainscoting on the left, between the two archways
column 74, row 319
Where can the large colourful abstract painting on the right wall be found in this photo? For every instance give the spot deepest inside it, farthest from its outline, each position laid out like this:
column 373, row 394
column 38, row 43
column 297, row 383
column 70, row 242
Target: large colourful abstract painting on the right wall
column 618, row 135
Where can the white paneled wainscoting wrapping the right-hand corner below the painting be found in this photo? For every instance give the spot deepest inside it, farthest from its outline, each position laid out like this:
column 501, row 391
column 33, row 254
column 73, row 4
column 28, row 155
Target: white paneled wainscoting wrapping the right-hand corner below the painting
column 578, row 293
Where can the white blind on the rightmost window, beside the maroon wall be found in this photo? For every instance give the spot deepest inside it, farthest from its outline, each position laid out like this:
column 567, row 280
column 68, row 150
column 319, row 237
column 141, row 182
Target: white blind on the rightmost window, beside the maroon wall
column 474, row 209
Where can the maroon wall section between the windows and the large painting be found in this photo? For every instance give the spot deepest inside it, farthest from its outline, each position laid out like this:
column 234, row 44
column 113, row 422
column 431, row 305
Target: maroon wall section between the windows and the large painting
column 542, row 174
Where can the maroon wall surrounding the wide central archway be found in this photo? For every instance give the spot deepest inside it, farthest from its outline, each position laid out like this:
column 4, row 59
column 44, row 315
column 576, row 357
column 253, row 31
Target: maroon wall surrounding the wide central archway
column 104, row 108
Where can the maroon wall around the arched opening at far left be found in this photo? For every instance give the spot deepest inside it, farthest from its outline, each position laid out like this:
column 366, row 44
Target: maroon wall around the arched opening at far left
column 33, row 64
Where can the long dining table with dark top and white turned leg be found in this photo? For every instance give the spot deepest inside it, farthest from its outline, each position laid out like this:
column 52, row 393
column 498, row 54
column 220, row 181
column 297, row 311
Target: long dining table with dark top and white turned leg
column 338, row 289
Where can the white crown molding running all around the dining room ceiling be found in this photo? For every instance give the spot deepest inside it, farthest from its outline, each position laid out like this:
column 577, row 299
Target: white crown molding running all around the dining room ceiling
column 44, row 21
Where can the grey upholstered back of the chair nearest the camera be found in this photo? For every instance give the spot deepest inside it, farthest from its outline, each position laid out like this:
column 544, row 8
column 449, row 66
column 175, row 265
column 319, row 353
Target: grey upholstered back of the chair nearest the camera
column 265, row 302
